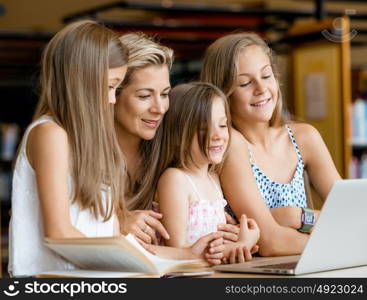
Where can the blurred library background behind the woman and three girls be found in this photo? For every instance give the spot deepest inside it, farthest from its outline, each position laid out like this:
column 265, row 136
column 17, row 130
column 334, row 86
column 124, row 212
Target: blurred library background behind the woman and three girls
column 321, row 48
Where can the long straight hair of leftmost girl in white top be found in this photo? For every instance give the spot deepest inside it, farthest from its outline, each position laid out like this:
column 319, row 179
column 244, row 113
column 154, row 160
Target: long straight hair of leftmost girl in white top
column 74, row 91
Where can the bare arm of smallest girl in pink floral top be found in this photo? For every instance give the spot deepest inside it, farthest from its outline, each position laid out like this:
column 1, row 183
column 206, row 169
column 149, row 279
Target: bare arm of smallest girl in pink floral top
column 173, row 196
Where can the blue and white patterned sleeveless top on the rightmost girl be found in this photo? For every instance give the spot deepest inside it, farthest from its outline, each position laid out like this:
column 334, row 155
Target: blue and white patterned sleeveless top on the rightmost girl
column 277, row 194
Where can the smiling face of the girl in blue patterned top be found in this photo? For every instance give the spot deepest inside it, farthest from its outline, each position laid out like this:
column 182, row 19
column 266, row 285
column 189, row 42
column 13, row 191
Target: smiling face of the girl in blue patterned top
column 256, row 89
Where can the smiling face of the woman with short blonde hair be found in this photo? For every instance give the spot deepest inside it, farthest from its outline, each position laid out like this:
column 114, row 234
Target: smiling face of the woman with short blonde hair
column 143, row 101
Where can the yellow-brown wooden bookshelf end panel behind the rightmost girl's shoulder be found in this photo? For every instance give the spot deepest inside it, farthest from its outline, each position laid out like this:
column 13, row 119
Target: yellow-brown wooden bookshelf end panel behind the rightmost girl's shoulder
column 321, row 71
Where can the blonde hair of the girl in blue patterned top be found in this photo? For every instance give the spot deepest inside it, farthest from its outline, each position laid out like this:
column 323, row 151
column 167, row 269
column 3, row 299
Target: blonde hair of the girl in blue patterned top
column 220, row 66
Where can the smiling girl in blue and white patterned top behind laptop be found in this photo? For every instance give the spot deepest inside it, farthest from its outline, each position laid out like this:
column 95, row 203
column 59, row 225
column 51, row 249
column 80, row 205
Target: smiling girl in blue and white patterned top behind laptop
column 263, row 174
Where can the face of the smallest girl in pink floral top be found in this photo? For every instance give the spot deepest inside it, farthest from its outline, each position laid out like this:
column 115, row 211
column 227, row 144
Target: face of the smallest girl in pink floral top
column 218, row 139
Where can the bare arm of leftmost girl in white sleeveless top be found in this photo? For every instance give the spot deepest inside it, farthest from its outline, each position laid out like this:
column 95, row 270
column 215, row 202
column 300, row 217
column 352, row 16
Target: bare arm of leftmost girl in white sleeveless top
column 48, row 154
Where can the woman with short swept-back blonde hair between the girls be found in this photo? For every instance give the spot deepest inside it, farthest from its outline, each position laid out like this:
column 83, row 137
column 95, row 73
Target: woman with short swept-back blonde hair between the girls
column 141, row 104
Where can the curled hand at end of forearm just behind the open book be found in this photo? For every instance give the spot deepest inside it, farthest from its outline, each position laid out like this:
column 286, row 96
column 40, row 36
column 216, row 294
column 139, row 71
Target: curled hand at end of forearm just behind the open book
column 209, row 247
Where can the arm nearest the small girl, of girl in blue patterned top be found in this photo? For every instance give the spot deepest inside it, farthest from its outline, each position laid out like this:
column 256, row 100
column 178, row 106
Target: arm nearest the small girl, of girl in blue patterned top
column 246, row 198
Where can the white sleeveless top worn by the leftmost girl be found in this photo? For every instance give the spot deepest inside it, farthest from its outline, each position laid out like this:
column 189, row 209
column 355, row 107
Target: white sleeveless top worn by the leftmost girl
column 27, row 254
